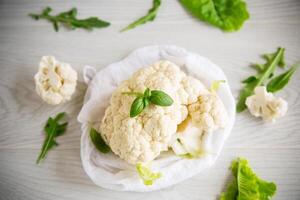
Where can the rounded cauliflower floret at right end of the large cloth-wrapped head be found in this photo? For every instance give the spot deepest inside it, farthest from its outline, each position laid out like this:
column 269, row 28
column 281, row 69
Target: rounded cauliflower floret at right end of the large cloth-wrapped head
column 208, row 112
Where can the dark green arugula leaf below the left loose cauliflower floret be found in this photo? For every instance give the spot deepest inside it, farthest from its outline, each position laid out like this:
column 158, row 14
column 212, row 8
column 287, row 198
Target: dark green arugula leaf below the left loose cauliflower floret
column 52, row 129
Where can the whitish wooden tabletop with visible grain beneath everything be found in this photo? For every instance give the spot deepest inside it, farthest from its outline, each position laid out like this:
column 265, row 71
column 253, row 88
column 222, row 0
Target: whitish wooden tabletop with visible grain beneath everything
column 272, row 149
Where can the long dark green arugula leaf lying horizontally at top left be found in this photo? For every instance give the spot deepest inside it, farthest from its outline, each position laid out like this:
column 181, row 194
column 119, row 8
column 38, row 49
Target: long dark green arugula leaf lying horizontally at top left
column 69, row 19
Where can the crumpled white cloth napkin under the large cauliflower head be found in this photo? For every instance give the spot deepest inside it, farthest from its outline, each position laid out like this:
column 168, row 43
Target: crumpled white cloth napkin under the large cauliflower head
column 108, row 170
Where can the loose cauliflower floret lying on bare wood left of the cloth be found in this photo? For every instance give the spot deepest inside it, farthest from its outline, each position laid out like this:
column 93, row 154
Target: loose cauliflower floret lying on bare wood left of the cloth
column 55, row 81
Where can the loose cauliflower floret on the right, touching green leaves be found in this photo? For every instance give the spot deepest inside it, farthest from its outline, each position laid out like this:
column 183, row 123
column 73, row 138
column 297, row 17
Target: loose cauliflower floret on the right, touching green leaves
column 266, row 105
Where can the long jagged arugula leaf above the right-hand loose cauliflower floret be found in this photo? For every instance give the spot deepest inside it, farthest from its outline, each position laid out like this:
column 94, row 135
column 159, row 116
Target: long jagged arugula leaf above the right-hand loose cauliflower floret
column 264, row 73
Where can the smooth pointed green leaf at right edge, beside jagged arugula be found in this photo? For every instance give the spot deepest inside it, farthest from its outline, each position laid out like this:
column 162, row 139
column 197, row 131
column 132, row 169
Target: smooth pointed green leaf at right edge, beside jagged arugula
column 279, row 82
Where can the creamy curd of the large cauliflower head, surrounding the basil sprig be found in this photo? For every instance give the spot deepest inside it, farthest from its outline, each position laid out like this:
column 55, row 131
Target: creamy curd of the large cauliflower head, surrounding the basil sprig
column 144, row 137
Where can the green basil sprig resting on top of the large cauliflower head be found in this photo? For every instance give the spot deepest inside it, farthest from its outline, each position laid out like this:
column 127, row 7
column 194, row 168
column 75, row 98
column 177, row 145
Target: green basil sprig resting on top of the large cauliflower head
column 143, row 100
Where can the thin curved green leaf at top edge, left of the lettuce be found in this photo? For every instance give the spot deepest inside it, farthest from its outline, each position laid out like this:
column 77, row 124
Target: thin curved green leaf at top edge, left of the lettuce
column 147, row 18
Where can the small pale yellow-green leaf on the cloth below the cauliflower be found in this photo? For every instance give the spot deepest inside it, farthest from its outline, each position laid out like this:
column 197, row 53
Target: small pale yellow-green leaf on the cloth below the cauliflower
column 146, row 174
